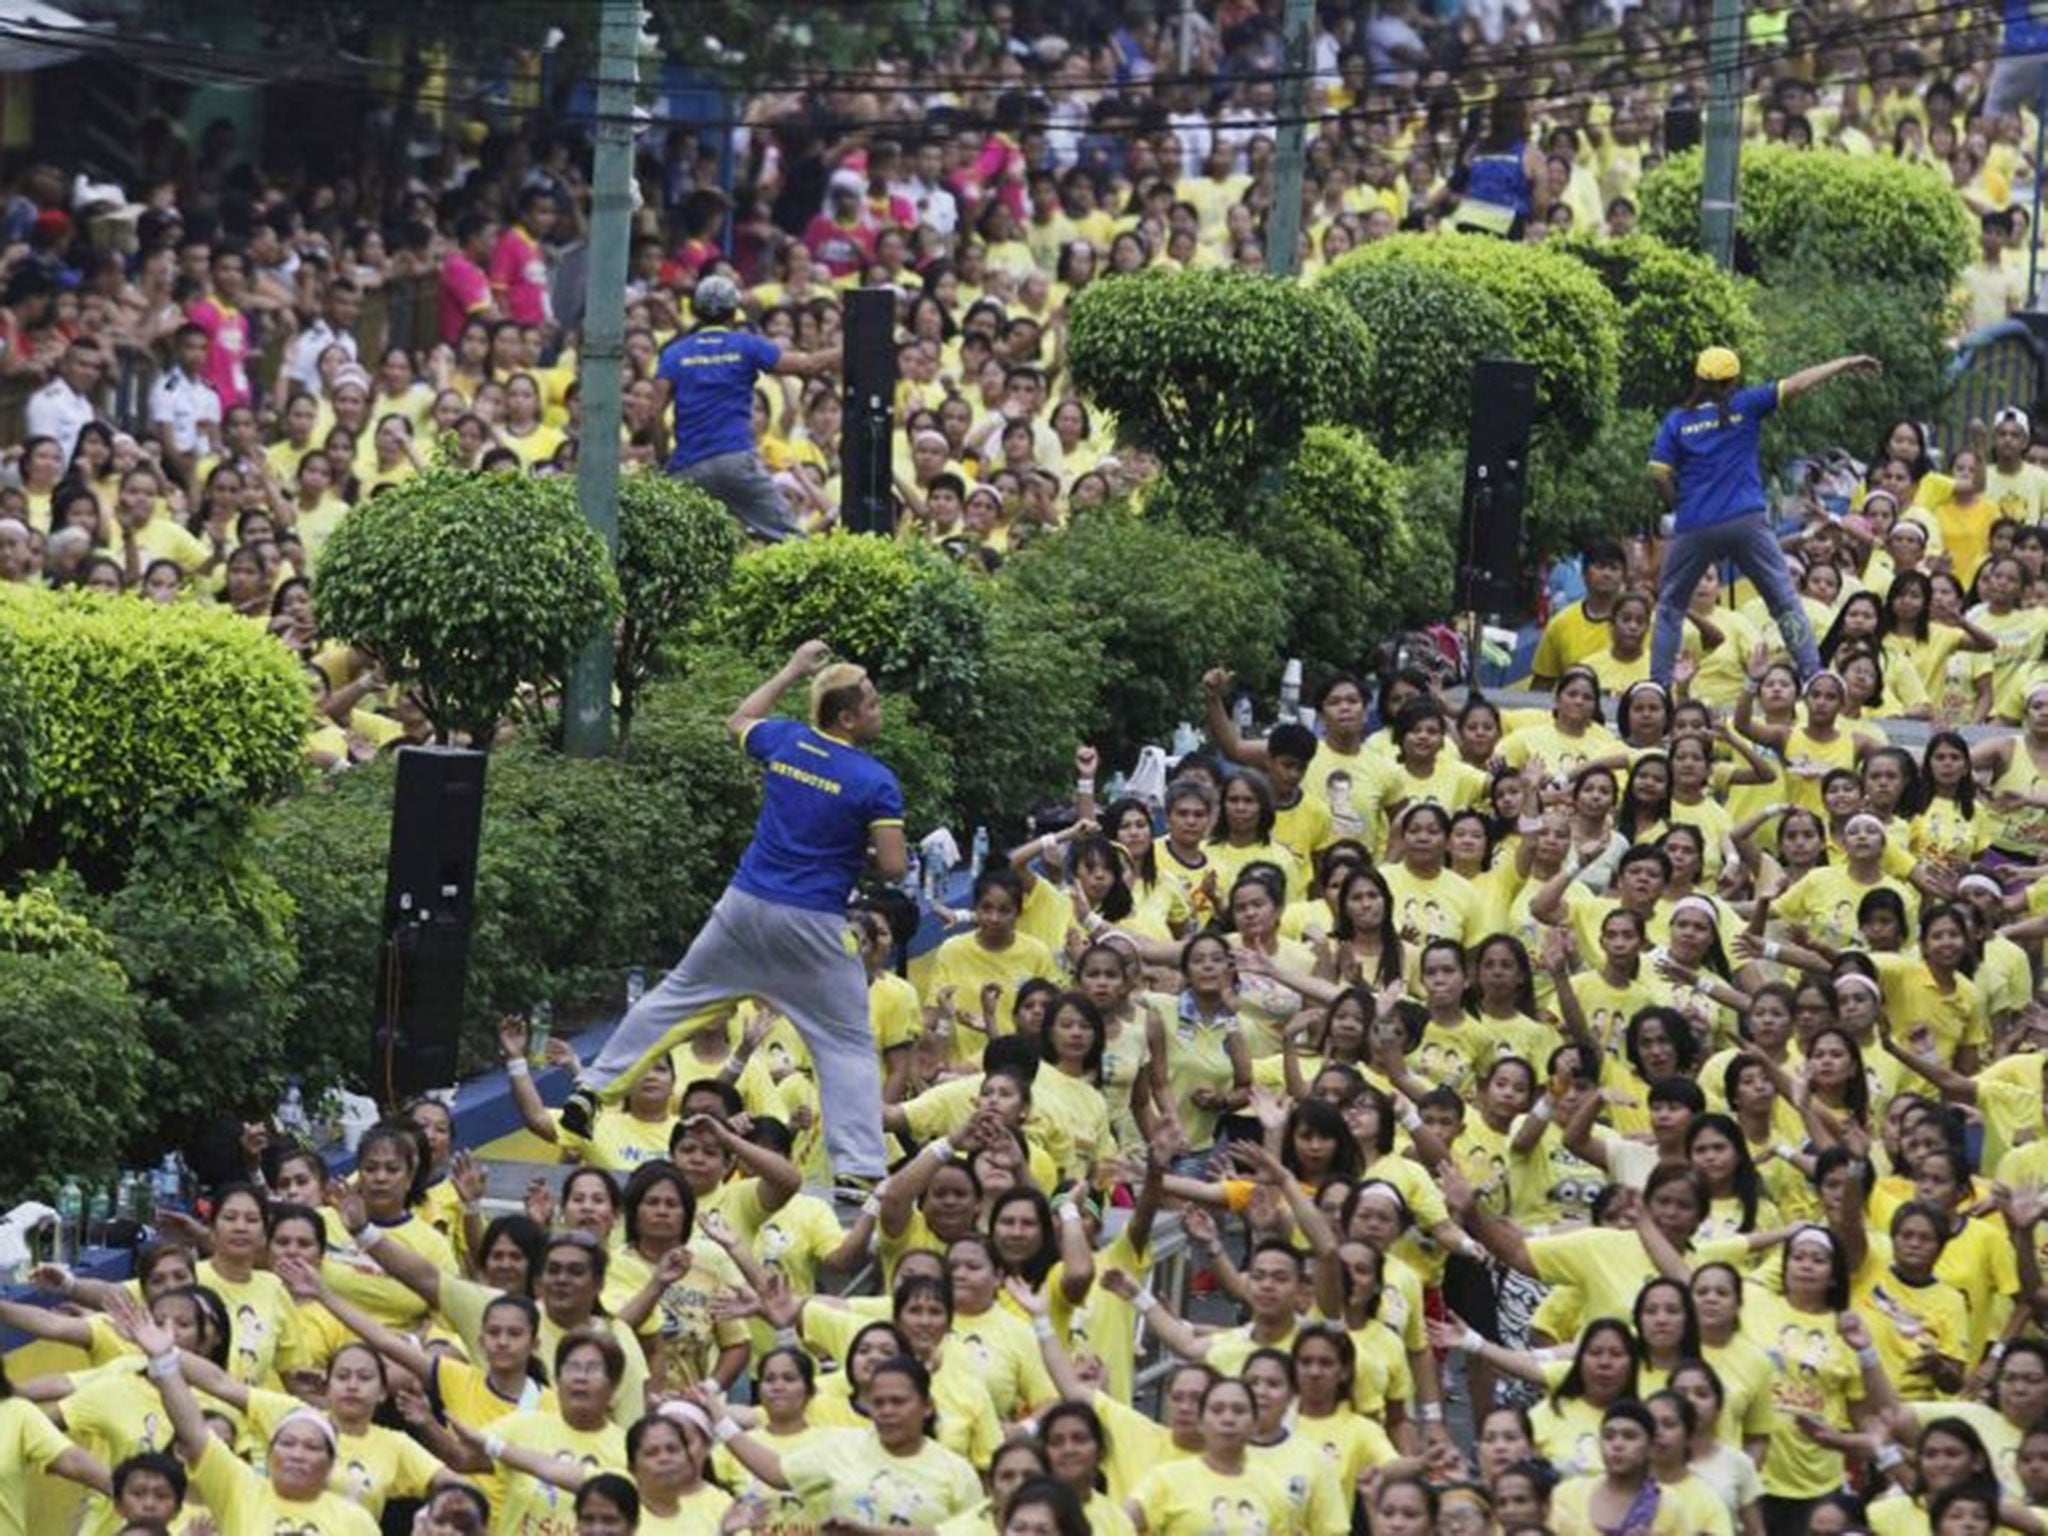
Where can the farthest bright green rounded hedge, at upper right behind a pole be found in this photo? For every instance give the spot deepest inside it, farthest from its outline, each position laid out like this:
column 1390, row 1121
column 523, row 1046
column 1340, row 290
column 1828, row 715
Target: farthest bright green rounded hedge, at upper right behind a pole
column 1854, row 218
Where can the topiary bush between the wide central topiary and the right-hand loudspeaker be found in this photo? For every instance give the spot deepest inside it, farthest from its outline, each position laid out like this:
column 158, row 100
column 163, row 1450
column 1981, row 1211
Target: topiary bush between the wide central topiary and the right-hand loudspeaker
column 1431, row 325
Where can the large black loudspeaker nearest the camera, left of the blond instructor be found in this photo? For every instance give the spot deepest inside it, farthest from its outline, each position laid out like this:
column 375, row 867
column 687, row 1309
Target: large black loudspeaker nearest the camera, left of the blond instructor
column 431, row 890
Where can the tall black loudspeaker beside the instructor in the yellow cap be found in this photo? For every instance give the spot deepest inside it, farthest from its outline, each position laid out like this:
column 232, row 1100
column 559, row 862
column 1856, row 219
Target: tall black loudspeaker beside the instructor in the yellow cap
column 1496, row 466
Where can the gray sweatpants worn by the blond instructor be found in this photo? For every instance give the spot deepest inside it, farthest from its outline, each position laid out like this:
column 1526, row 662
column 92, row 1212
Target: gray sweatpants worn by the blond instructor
column 806, row 966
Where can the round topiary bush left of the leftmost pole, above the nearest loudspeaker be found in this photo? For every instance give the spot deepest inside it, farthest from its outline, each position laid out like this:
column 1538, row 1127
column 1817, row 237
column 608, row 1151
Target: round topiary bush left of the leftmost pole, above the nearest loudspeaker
column 468, row 589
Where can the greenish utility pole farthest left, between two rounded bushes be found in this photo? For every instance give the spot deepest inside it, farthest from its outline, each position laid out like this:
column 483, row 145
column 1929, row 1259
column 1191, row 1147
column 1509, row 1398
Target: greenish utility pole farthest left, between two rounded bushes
column 589, row 716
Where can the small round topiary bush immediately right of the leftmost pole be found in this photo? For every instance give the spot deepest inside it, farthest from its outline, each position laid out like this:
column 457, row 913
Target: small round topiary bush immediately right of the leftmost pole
column 677, row 550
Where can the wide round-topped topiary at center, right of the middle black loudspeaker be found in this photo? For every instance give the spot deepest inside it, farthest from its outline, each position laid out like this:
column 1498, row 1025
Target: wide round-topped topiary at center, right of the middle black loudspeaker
column 1220, row 372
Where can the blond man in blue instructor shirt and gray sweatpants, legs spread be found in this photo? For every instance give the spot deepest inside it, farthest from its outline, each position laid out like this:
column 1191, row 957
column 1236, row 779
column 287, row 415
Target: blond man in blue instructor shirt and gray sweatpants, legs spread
column 781, row 931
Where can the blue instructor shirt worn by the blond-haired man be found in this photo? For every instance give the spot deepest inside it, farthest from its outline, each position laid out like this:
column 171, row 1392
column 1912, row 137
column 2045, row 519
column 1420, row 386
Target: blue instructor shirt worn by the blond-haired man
column 820, row 804
